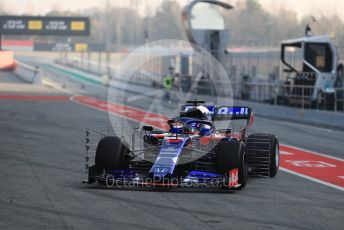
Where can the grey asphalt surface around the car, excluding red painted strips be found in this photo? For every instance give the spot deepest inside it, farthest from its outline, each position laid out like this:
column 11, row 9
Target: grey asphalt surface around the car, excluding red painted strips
column 42, row 151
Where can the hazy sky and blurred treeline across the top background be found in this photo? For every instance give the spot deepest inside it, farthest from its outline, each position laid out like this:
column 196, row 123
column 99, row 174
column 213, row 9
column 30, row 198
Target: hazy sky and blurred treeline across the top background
column 254, row 24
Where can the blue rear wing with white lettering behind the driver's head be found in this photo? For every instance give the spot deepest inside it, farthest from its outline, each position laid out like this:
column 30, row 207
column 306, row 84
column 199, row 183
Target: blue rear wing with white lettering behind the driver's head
column 220, row 113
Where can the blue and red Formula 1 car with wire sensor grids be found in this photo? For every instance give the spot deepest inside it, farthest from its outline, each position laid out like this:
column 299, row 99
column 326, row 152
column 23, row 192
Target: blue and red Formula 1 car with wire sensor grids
column 191, row 153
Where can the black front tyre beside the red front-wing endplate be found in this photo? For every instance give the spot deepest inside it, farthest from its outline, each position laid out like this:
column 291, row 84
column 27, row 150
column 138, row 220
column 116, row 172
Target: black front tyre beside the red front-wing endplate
column 231, row 155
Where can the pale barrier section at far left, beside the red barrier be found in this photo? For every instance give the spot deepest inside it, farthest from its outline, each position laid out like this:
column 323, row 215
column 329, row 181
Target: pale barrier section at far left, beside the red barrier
column 30, row 74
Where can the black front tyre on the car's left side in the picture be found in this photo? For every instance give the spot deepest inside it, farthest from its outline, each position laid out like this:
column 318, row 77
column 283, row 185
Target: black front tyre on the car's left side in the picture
column 111, row 154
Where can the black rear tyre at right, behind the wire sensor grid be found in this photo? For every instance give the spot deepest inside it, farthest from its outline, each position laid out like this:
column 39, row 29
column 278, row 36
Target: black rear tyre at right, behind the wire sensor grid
column 263, row 154
